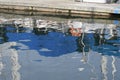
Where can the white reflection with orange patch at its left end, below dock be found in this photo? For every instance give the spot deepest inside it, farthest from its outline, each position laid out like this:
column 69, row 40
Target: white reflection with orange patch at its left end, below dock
column 108, row 30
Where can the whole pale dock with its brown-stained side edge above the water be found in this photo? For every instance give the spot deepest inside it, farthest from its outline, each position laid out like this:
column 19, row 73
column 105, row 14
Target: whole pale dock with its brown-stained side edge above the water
column 59, row 7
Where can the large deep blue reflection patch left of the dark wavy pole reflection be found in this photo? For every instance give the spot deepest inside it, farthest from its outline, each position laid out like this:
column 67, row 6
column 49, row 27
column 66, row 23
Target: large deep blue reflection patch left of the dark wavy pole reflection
column 53, row 43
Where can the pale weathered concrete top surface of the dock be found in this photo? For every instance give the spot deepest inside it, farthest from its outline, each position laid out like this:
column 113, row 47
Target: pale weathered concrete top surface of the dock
column 70, row 5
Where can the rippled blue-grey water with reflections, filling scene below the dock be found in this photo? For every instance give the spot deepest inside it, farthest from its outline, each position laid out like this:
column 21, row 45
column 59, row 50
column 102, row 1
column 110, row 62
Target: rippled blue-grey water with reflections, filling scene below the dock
column 29, row 53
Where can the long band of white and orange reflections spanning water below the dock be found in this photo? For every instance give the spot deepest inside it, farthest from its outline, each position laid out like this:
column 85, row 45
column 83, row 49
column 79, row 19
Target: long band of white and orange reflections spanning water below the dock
column 76, row 28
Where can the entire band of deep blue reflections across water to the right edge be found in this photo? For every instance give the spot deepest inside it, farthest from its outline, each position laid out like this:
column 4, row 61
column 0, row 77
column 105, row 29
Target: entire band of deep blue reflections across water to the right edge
column 56, row 43
